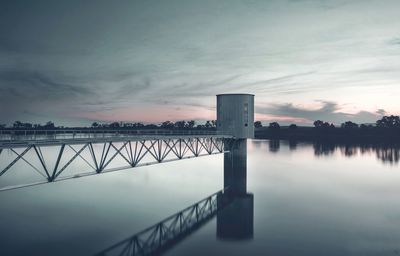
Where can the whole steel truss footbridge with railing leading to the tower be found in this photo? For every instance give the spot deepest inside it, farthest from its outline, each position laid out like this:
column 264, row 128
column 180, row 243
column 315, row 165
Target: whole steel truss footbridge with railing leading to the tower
column 51, row 156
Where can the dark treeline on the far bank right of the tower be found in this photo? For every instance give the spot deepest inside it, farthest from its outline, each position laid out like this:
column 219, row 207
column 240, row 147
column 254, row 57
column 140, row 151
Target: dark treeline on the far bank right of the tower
column 387, row 127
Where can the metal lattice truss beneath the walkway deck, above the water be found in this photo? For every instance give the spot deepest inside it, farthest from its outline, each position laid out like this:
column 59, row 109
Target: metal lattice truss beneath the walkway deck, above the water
column 132, row 151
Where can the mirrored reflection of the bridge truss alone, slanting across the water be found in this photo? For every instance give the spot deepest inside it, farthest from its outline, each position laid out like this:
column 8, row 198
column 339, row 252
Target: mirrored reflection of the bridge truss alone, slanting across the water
column 168, row 232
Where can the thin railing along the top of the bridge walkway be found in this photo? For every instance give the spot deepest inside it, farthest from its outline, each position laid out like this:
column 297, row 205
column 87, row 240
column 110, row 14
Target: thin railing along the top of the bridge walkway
column 37, row 134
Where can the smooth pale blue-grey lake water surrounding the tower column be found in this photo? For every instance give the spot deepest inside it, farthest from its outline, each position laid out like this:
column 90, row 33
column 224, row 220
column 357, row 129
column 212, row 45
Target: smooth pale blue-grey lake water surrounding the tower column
column 308, row 200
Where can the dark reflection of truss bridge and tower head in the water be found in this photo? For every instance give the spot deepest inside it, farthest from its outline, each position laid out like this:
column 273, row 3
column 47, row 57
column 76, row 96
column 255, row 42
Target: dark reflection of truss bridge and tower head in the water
column 234, row 221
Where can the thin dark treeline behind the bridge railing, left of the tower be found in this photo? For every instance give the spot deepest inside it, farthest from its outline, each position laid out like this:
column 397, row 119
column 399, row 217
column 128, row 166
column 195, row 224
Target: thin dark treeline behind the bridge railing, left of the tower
column 210, row 124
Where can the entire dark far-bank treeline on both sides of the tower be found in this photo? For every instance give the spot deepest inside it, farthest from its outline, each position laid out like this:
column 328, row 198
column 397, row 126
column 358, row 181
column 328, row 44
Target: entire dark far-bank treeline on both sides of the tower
column 386, row 128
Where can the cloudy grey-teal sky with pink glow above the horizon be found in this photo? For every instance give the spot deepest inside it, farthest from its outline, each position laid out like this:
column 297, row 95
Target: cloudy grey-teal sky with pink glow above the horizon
column 75, row 62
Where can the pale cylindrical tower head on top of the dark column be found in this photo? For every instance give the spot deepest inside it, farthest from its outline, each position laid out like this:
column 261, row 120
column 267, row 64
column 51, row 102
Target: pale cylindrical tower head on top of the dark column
column 235, row 115
